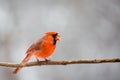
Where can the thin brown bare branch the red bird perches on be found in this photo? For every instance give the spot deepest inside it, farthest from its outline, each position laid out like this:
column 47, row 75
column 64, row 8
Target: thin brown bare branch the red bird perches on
column 61, row 62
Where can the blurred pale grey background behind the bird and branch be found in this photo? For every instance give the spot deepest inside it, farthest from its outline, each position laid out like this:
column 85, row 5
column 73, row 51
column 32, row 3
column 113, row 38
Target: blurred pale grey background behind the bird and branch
column 89, row 29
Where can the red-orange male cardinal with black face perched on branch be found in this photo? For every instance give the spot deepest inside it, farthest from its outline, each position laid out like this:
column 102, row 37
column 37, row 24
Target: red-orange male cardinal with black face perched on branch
column 43, row 48
